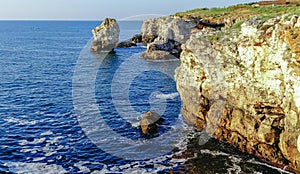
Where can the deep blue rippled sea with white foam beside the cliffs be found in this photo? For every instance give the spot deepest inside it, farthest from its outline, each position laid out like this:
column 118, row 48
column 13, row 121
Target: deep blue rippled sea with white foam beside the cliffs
column 64, row 109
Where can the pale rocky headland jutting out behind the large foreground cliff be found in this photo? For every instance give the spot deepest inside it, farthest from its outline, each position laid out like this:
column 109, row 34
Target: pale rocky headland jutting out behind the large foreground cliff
column 167, row 35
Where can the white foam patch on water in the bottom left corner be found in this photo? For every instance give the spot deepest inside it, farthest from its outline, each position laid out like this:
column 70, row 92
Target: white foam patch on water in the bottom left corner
column 36, row 168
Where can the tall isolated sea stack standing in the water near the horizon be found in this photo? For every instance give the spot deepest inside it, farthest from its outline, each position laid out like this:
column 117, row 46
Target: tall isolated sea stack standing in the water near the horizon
column 106, row 36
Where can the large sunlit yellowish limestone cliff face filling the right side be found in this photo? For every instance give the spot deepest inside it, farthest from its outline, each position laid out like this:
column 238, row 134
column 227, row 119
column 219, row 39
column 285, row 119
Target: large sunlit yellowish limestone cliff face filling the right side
column 243, row 87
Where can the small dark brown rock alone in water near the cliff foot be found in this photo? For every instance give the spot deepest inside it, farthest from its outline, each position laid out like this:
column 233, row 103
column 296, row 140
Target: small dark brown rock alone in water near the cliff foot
column 149, row 122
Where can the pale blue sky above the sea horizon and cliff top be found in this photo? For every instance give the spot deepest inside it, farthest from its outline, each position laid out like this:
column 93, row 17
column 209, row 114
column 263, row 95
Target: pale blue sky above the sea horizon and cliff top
column 100, row 9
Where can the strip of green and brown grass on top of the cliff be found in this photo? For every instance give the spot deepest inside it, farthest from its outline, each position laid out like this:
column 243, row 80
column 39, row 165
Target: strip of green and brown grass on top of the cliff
column 241, row 11
